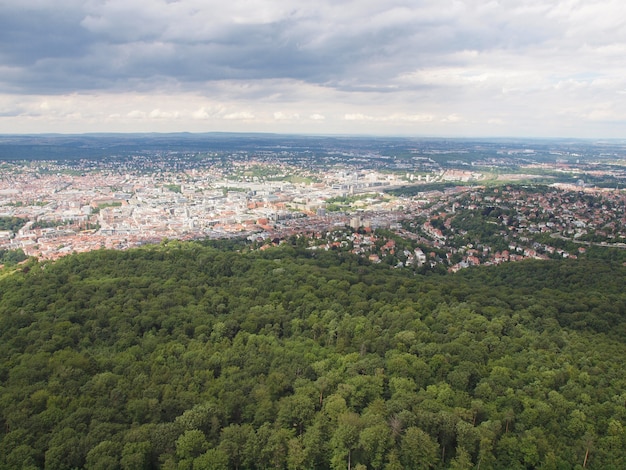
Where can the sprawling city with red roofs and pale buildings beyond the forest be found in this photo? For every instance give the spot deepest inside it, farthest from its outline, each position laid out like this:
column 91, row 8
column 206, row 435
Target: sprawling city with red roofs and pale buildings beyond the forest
column 455, row 204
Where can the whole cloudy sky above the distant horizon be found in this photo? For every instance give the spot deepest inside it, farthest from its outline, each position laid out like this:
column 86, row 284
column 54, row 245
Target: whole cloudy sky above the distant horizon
column 460, row 68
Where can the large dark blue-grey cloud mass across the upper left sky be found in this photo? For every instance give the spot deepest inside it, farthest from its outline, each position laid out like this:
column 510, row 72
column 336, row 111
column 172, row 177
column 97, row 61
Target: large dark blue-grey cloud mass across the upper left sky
column 118, row 44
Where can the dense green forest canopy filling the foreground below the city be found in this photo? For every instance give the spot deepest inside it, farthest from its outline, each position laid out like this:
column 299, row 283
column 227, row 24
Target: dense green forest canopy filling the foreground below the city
column 190, row 356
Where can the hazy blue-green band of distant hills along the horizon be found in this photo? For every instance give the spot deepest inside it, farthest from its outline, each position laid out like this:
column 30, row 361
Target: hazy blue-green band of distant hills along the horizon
column 449, row 151
